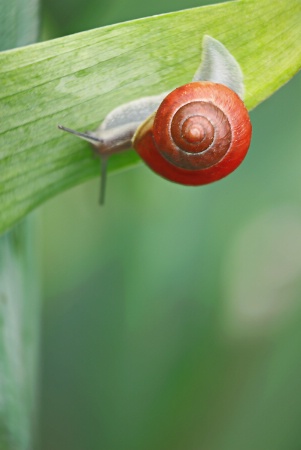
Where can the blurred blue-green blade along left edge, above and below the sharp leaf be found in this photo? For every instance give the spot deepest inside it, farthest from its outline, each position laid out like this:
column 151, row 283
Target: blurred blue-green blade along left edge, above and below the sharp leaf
column 19, row 307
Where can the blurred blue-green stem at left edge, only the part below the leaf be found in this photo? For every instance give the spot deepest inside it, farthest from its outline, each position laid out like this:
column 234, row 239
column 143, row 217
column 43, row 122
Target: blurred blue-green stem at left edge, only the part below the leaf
column 19, row 313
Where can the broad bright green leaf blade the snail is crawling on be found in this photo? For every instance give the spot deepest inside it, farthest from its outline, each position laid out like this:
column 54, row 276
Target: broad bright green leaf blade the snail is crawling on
column 78, row 79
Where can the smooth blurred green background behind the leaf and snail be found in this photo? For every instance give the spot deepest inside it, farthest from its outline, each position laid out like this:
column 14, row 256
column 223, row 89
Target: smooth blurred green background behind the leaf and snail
column 172, row 316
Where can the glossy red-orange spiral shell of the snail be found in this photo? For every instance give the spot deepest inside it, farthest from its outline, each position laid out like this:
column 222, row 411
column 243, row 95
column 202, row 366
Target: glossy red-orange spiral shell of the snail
column 200, row 133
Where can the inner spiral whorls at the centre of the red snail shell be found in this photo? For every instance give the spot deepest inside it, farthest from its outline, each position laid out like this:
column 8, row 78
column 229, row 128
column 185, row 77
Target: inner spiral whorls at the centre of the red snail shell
column 197, row 132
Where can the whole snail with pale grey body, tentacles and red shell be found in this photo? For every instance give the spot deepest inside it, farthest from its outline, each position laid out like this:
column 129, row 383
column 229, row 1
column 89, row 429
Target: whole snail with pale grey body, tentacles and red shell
column 193, row 135
